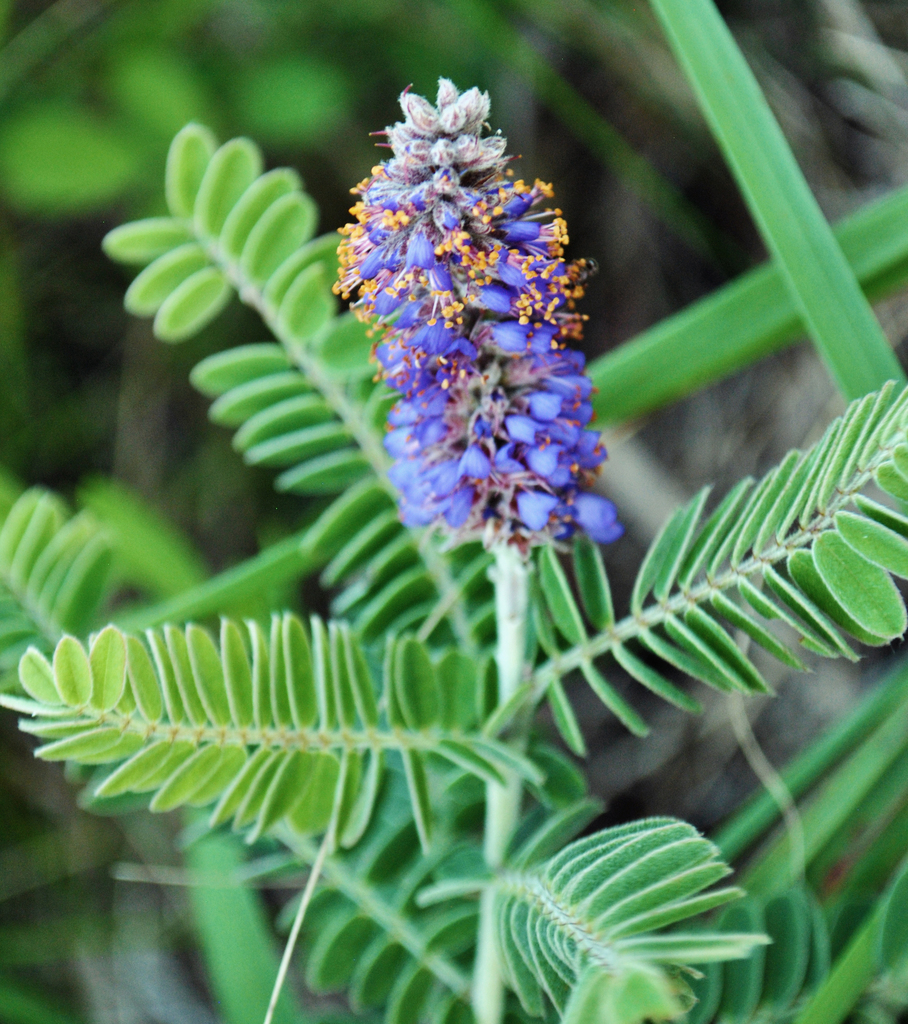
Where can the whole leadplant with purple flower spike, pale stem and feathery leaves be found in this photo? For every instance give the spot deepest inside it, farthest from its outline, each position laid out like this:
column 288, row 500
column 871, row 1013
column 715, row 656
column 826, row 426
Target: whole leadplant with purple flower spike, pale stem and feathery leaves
column 396, row 749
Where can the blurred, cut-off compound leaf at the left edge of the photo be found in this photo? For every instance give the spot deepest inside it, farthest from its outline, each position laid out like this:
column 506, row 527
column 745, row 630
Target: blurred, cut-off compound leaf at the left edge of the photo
column 54, row 573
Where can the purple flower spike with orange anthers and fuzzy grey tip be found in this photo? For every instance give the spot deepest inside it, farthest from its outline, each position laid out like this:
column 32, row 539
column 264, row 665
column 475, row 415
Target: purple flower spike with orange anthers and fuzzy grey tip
column 464, row 273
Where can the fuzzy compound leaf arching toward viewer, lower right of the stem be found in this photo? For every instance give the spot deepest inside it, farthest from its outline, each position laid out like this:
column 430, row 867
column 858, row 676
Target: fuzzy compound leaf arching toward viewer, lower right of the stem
column 582, row 926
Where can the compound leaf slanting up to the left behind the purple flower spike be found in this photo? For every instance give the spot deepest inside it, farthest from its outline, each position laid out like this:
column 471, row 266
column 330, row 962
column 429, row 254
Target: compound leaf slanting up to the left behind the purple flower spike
column 308, row 407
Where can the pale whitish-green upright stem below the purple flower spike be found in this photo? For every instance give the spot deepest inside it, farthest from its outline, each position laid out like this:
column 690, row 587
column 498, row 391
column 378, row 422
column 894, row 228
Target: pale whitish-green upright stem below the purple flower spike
column 502, row 802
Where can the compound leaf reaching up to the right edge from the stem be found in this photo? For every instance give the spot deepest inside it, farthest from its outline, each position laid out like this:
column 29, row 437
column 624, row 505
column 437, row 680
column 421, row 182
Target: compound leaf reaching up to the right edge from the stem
column 803, row 545
